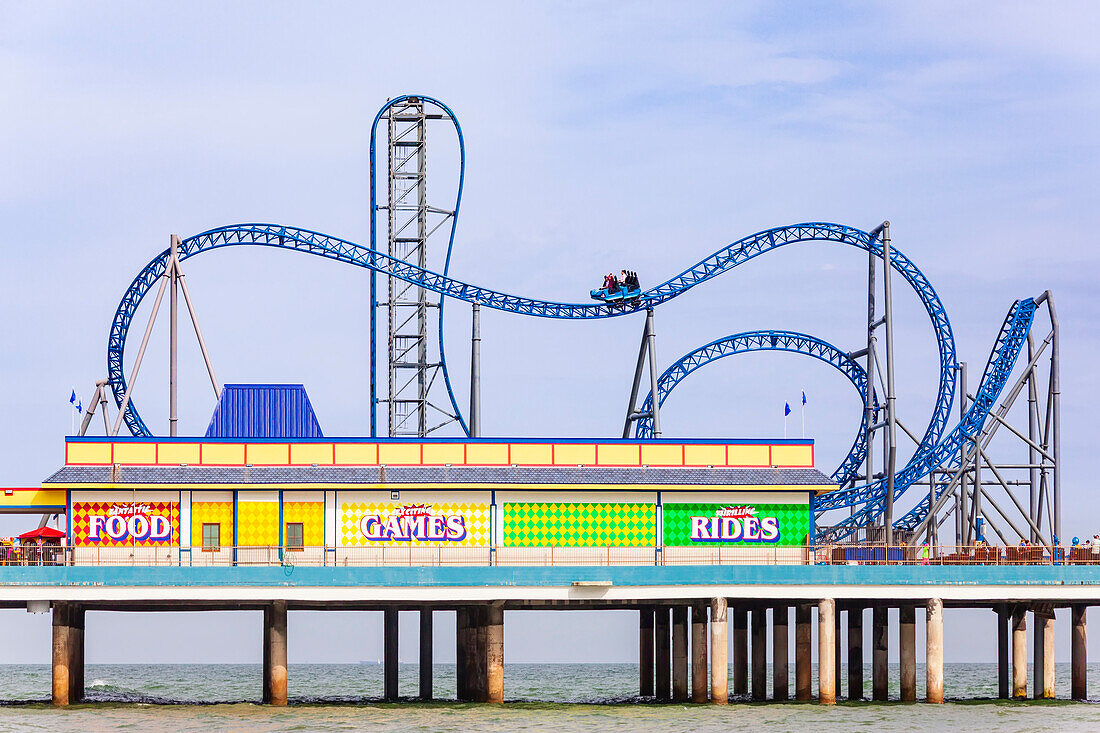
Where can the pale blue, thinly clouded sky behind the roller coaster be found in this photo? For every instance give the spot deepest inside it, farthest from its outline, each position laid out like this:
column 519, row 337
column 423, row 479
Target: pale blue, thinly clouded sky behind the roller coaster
column 599, row 137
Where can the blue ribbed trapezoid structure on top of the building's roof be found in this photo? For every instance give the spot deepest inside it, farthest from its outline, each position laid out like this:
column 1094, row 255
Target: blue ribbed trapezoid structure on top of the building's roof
column 265, row 411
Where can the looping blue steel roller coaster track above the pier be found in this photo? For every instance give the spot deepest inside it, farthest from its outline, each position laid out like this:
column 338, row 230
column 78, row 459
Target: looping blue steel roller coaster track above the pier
column 939, row 452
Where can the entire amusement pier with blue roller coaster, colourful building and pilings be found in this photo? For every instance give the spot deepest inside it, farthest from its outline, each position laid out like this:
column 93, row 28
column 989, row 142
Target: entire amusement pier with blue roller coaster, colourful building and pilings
column 719, row 545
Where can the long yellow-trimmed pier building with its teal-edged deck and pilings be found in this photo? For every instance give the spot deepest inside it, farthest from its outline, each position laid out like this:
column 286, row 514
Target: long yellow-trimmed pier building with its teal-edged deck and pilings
column 711, row 542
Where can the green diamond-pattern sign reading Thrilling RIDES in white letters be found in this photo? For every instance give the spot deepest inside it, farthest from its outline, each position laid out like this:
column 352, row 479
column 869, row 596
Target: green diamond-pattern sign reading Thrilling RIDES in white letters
column 738, row 524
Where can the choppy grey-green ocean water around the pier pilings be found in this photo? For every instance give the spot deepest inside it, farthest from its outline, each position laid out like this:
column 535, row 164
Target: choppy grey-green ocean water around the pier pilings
column 179, row 698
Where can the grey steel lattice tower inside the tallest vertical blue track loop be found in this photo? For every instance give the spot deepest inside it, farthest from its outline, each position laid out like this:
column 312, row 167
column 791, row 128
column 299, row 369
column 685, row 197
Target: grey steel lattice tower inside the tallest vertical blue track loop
column 413, row 364
